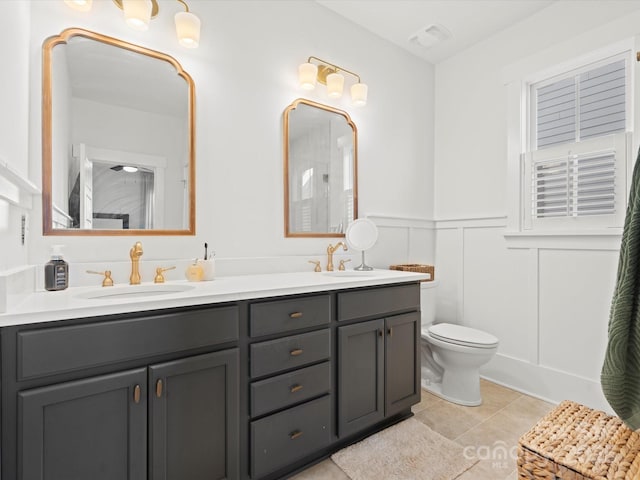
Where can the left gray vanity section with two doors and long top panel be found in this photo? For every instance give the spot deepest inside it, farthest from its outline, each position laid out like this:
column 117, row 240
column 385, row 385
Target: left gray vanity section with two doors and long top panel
column 137, row 397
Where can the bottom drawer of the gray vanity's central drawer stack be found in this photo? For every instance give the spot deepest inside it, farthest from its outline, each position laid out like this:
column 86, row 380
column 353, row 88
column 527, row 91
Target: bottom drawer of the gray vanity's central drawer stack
column 282, row 438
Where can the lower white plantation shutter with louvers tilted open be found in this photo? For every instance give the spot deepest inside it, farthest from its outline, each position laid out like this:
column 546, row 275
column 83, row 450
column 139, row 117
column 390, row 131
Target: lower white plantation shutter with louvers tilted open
column 579, row 180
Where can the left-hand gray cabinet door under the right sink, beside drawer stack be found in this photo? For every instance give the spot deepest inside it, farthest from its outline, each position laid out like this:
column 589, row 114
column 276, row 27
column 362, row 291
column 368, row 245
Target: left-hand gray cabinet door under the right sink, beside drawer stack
column 360, row 376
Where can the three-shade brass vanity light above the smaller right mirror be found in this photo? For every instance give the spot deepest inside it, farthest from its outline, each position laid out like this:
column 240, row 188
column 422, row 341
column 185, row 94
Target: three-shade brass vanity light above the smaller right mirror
column 317, row 70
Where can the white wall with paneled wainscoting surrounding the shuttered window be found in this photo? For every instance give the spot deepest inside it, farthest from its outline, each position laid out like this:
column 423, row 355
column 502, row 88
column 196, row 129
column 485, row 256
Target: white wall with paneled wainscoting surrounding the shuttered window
column 548, row 302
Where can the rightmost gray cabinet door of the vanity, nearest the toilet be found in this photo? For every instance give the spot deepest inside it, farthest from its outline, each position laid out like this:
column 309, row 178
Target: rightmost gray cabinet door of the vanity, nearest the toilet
column 402, row 362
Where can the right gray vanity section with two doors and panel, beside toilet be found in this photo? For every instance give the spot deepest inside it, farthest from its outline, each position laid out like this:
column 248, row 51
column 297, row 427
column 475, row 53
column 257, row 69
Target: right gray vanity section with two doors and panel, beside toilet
column 378, row 359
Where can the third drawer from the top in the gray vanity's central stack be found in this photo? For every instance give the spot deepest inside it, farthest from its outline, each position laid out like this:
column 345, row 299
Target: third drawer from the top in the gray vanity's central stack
column 289, row 388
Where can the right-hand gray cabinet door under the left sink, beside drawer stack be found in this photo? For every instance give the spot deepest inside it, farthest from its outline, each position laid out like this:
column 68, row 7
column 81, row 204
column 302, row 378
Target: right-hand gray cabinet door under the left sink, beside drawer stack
column 194, row 418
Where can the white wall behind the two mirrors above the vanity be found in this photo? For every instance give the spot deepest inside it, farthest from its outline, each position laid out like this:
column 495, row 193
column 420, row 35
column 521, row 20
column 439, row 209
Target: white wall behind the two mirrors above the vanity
column 245, row 73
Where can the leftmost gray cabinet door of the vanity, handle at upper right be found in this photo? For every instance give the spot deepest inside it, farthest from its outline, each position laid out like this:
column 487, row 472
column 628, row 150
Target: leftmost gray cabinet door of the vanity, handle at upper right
column 94, row 428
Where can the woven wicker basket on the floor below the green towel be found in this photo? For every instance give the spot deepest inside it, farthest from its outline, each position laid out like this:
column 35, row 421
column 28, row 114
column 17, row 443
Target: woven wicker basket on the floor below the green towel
column 574, row 442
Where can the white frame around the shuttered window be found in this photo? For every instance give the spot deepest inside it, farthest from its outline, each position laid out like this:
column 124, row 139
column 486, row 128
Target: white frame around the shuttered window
column 519, row 139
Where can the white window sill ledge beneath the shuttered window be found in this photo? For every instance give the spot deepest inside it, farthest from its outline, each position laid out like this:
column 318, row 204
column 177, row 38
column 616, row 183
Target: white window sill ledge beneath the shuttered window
column 608, row 239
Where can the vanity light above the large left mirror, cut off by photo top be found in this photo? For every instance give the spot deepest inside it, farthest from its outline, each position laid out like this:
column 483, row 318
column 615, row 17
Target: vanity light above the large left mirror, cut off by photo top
column 138, row 15
